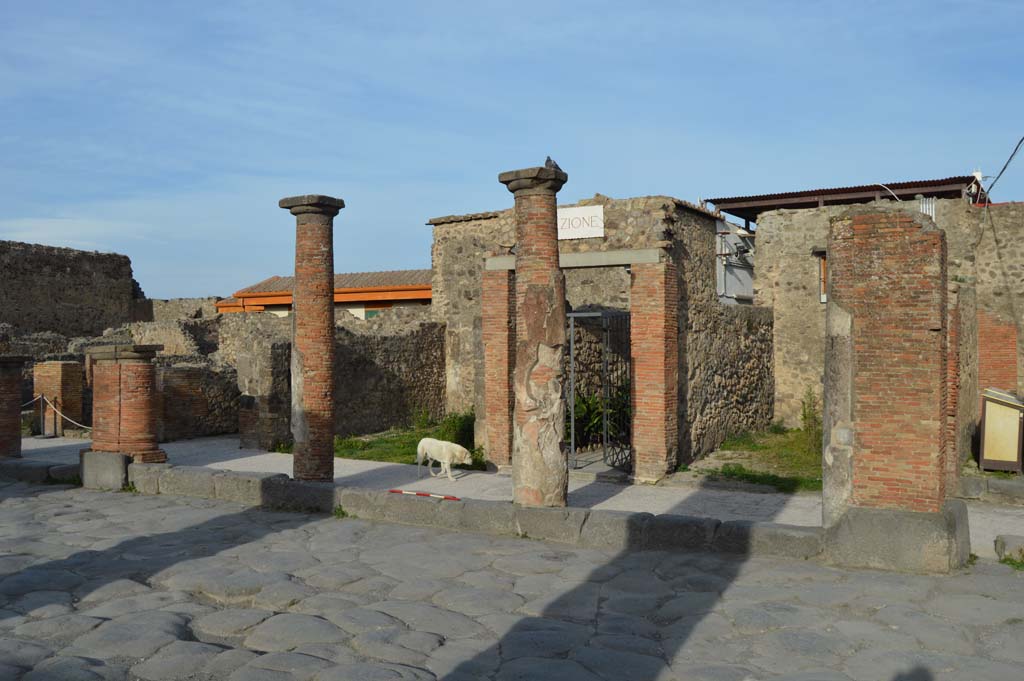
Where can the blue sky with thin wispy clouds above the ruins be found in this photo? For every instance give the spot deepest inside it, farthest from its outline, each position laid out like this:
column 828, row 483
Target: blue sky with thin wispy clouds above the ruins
column 168, row 132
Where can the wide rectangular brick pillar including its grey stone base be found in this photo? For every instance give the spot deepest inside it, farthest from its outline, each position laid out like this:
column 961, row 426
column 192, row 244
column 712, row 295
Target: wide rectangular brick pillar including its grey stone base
column 887, row 384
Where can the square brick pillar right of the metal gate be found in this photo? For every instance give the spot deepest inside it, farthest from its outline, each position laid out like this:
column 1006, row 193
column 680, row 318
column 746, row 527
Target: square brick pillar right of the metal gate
column 655, row 358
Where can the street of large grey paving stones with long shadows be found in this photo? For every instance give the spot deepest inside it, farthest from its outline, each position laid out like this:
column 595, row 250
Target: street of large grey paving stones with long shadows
column 120, row 586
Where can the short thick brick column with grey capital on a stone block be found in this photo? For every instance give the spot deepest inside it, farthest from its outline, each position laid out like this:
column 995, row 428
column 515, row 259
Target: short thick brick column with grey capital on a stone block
column 124, row 402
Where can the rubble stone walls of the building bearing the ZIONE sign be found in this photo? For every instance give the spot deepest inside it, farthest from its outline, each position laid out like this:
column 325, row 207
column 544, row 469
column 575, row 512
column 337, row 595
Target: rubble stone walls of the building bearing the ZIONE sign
column 729, row 380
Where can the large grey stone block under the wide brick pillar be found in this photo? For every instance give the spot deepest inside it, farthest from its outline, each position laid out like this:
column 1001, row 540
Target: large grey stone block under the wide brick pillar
column 905, row 541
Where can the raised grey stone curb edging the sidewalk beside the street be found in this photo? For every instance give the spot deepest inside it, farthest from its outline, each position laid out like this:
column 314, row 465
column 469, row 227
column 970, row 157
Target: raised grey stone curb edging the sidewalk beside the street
column 616, row 531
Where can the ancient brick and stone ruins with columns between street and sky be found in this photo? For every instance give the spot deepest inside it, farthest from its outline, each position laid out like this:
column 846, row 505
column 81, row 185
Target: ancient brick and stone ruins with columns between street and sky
column 909, row 322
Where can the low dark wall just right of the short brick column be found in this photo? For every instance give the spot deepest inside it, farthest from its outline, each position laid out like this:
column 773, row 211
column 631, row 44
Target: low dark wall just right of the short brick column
column 196, row 400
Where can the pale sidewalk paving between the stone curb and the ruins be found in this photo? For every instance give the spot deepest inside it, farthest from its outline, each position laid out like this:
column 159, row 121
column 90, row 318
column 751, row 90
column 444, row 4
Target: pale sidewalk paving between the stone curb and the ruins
column 987, row 521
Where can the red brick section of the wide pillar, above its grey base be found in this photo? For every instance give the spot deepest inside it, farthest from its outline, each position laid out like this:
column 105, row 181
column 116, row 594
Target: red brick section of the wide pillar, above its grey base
column 888, row 272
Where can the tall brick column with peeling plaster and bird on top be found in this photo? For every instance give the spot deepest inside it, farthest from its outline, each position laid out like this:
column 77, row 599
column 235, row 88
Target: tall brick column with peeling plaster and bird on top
column 540, row 464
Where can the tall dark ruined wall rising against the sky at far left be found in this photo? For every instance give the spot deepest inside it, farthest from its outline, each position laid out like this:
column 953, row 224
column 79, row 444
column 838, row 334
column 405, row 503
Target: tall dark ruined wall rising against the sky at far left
column 74, row 293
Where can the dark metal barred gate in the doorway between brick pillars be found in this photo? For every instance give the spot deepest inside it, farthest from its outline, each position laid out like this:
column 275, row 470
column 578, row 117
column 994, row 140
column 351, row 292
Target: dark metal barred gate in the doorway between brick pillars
column 599, row 414
